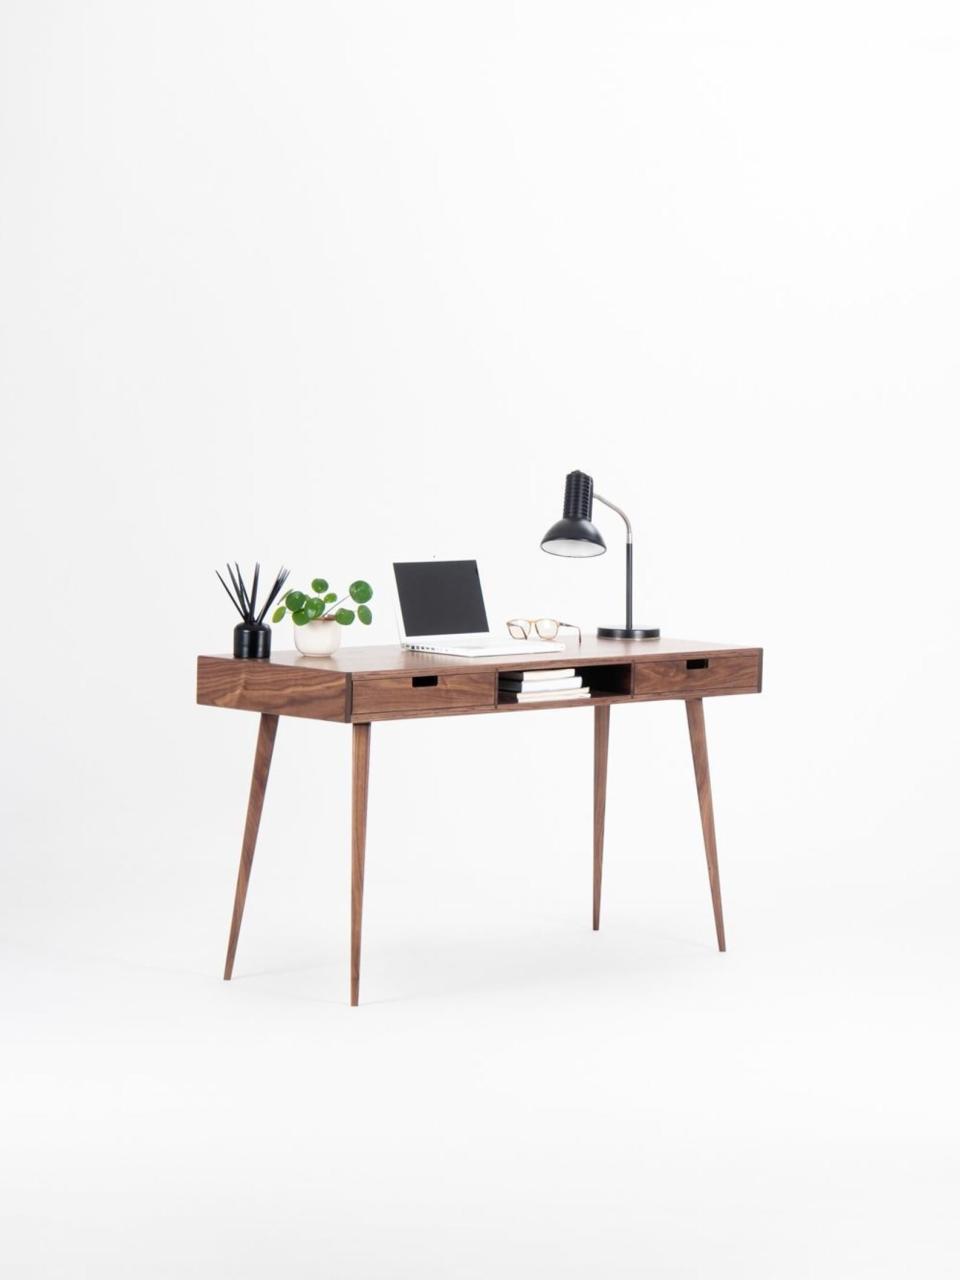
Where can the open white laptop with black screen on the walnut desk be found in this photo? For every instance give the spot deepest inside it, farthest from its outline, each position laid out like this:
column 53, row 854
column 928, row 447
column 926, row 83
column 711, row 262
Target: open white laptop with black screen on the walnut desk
column 442, row 611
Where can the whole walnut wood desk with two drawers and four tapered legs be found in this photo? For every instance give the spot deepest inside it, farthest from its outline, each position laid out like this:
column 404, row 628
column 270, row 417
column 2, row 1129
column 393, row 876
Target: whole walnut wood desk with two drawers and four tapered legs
column 359, row 687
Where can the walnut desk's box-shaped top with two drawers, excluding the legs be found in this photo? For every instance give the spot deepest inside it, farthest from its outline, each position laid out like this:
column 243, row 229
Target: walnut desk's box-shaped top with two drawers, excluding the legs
column 390, row 683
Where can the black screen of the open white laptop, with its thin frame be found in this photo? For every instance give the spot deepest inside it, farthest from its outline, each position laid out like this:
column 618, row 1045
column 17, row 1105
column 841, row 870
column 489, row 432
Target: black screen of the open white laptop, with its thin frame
column 441, row 598
